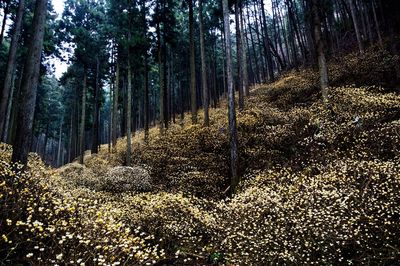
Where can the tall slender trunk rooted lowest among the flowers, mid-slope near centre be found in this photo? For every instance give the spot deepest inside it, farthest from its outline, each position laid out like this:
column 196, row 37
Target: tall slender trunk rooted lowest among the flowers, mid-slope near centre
column 231, row 102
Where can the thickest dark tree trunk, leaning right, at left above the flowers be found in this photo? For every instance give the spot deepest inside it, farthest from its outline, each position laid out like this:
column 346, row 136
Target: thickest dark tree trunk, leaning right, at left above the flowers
column 29, row 87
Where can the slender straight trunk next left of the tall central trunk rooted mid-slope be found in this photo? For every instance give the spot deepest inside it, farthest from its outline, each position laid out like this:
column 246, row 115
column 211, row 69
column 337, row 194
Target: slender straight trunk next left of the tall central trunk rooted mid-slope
column 203, row 68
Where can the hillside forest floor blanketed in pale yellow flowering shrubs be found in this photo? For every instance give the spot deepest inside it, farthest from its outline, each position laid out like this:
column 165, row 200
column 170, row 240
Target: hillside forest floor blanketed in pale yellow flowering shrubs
column 319, row 185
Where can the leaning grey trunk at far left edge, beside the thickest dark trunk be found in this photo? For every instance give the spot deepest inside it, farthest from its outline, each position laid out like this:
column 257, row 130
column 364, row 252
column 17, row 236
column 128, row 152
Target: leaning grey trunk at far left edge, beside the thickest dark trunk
column 6, row 96
